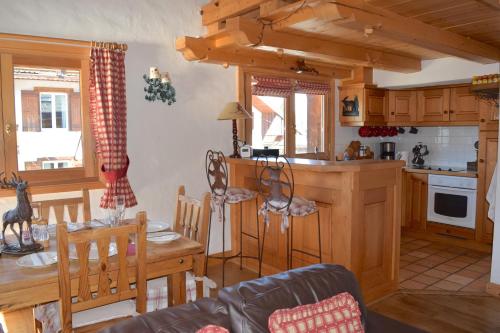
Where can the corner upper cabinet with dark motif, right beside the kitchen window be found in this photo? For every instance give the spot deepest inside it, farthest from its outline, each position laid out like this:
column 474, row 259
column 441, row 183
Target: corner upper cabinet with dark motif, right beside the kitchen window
column 362, row 104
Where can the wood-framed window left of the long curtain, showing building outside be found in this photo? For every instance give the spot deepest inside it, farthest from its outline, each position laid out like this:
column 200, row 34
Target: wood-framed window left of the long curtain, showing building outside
column 46, row 130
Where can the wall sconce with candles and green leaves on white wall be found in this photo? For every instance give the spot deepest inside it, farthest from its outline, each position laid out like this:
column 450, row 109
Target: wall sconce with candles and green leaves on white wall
column 158, row 87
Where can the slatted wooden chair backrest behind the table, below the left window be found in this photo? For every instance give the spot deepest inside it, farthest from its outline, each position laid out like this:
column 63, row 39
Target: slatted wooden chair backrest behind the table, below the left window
column 59, row 205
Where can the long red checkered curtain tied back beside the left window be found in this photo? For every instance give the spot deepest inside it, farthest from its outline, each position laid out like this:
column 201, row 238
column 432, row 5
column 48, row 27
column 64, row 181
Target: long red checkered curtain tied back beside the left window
column 108, row 113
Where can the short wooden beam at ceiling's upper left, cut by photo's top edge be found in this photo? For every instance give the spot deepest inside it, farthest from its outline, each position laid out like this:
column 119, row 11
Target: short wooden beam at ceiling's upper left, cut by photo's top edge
column 219, row 10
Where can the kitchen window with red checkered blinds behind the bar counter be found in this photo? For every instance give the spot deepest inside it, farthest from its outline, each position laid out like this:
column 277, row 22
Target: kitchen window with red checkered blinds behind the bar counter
column 289, row 114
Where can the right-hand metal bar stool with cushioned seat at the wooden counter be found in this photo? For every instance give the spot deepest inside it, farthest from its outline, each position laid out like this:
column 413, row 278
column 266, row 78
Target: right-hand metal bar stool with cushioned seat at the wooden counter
column 276, row 186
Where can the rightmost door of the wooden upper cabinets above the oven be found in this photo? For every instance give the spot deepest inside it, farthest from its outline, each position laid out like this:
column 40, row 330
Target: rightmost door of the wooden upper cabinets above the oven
column 464, row 105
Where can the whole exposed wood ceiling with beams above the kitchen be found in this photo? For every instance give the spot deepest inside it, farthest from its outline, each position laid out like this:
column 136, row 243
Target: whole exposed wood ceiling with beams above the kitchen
column 337, row 35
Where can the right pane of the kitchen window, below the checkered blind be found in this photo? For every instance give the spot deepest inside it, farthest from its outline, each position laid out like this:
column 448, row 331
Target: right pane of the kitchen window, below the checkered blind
column 309, row 123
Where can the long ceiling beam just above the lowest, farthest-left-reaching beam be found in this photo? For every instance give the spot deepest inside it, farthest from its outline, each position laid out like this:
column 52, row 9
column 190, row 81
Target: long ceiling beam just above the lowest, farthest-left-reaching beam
column 249, row 33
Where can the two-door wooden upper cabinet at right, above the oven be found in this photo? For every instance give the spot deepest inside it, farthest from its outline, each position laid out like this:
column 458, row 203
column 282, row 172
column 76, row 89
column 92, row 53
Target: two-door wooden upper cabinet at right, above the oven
column 447, row 106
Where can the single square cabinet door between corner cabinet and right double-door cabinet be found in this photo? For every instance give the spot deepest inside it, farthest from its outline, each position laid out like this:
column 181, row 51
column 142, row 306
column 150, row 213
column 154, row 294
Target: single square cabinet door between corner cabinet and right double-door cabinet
column 402, row 105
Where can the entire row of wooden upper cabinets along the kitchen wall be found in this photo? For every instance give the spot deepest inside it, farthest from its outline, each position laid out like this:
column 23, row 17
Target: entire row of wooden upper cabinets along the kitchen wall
column 456, row 105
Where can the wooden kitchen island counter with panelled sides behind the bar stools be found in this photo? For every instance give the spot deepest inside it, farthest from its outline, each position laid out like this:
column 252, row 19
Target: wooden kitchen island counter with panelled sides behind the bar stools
column 360, row 212
